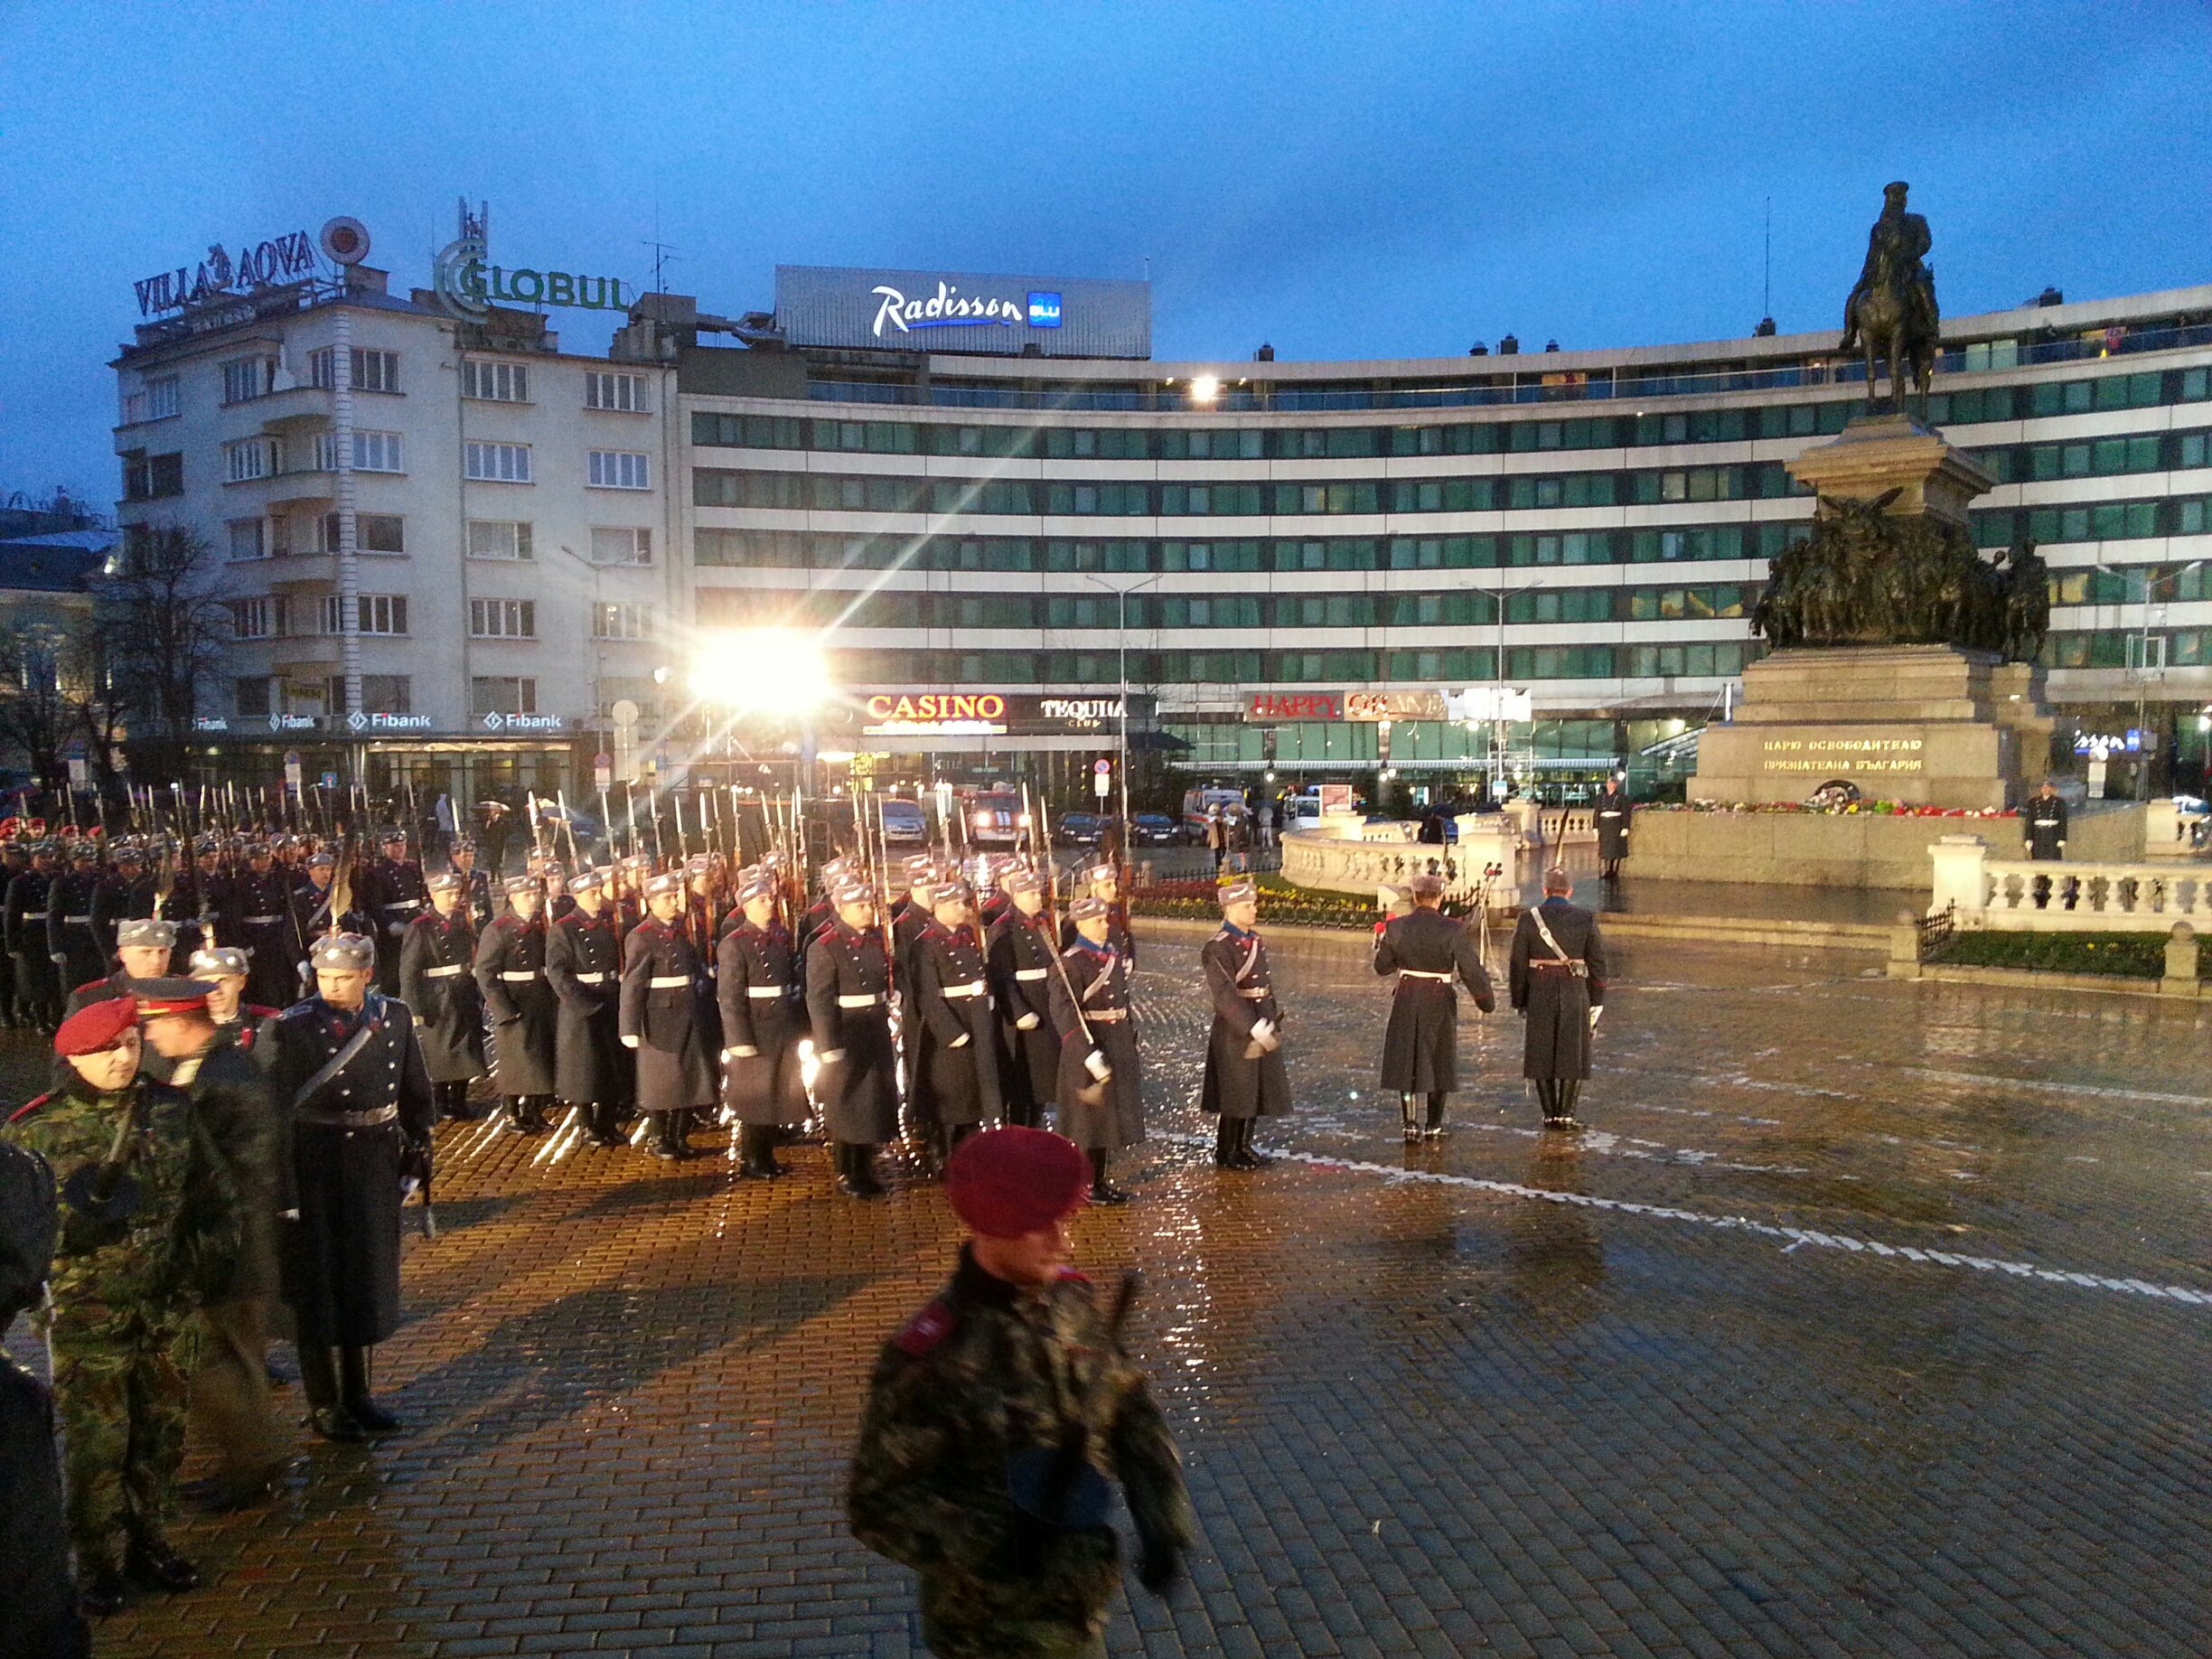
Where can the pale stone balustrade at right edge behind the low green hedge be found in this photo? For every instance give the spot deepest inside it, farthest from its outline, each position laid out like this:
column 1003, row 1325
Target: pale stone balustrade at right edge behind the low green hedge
column 2063, row 897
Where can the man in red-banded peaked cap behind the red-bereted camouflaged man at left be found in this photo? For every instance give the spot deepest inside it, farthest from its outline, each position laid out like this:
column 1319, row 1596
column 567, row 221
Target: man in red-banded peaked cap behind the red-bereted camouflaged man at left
column 231, row 1100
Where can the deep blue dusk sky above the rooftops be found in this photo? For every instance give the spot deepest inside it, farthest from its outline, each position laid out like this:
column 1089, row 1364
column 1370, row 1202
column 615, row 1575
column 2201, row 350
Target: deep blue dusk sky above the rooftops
column 1339, row 180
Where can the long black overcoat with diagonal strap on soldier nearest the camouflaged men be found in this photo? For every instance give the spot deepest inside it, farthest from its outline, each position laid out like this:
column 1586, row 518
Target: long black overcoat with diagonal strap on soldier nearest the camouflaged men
column 340, row 1167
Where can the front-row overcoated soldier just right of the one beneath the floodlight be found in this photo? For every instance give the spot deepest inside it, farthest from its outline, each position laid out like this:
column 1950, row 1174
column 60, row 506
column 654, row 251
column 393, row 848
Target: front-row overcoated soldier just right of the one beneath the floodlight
column 848, row 1008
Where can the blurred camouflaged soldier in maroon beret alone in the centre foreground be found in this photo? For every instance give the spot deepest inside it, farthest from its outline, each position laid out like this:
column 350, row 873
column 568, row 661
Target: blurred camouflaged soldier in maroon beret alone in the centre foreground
column 997, row 1419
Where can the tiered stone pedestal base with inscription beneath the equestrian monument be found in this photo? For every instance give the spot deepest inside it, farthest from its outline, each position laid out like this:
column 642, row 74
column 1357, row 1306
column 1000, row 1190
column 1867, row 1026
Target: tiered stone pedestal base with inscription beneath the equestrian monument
column 1930, row 727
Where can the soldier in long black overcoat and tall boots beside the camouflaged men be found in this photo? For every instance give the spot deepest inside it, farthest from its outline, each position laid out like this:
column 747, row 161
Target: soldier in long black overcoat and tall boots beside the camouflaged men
column 357, row 1109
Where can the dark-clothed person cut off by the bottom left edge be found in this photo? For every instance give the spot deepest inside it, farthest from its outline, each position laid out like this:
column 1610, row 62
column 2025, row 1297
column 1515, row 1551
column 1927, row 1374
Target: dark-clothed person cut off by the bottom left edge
column 39, row 1614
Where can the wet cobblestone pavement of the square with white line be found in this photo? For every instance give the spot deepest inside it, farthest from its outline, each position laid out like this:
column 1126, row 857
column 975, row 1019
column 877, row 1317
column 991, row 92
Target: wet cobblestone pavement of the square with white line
column 1868, row 1319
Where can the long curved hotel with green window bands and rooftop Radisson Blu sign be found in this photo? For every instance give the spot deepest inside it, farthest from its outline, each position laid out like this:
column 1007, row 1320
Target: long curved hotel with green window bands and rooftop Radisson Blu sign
column 988, row 486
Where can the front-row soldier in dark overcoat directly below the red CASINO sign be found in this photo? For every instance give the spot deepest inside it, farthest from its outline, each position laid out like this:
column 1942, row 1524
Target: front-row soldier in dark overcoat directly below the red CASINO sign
column 954, row 1034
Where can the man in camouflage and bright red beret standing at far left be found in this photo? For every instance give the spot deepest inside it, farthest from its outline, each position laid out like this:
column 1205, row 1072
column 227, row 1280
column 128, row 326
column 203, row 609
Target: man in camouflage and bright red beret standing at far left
column 143, row 1218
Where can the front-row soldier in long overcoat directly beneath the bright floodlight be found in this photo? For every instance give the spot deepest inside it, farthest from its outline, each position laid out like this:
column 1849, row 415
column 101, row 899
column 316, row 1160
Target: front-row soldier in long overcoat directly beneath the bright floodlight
column 762, row 1023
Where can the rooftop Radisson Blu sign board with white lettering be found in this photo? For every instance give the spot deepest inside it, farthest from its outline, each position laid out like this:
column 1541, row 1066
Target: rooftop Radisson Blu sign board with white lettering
column 943, row 311
